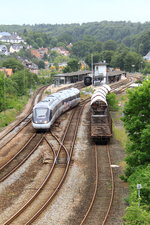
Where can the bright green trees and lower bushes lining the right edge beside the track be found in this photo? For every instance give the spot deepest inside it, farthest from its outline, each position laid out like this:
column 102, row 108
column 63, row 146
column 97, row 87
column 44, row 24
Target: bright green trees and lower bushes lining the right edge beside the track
column 136, row 119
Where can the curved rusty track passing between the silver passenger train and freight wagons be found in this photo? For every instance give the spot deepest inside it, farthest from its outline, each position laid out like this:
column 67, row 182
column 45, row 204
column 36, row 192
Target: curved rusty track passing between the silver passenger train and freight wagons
column 63, row 156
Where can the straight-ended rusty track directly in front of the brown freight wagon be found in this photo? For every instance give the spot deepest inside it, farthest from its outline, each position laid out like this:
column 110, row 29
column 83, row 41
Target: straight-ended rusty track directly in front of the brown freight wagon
column 102, row 199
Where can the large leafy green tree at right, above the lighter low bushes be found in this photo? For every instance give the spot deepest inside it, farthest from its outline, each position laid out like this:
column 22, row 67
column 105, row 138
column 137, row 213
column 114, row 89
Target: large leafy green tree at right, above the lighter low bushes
column 136, row 120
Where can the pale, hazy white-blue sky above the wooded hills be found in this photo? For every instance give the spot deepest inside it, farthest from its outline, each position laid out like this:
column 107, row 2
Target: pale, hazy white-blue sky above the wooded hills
column 72, row 11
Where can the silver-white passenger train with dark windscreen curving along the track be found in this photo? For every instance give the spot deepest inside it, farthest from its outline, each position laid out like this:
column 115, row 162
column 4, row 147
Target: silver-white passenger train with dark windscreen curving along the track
column 48, row 110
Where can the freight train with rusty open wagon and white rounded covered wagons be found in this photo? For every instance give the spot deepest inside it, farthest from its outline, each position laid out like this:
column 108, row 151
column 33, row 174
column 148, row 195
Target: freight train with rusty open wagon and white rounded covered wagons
column 101, row 123
